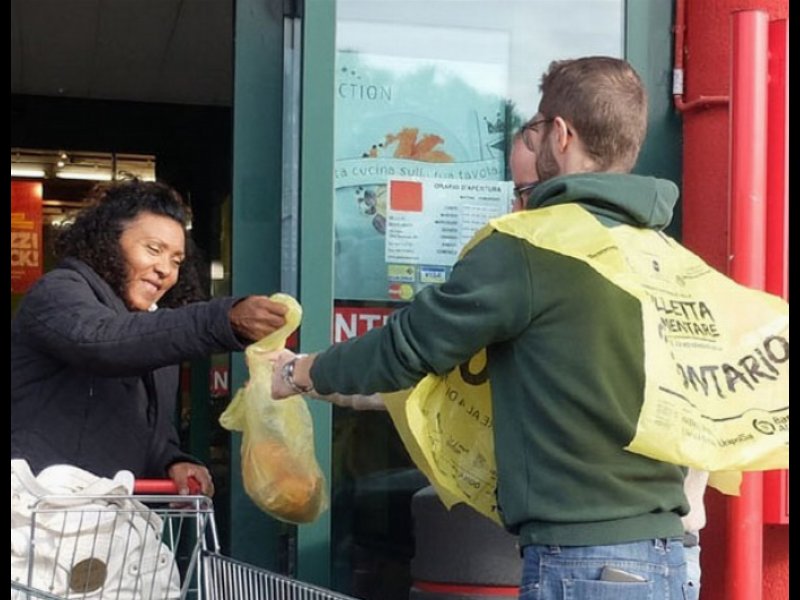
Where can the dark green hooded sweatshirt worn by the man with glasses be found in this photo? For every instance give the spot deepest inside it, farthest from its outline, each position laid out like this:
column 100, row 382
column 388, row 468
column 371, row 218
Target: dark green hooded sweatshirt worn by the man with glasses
column 565, row 361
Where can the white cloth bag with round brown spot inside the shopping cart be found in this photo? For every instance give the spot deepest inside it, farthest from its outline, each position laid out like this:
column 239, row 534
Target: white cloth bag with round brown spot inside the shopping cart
column 91, row 540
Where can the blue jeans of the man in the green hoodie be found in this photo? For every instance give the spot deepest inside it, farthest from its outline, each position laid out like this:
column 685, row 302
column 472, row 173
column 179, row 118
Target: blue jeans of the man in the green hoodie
column 656, row 570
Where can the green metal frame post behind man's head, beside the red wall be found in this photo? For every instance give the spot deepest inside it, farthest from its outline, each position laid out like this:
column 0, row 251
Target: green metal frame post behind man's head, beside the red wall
column 648, row 47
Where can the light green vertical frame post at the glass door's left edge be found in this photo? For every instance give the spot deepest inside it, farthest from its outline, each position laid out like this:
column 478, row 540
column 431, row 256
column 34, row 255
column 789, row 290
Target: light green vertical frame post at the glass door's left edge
column 316, row 249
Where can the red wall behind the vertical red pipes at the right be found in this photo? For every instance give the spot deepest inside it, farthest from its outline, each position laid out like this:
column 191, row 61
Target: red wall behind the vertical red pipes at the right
column 706, row 58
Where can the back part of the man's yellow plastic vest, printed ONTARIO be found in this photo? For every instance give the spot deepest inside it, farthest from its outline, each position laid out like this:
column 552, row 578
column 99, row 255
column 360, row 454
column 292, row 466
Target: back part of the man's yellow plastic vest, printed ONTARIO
column 716, row 353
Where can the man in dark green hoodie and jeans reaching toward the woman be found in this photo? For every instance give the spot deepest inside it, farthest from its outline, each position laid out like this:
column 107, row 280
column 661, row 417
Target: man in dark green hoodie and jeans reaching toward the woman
column 565, row 353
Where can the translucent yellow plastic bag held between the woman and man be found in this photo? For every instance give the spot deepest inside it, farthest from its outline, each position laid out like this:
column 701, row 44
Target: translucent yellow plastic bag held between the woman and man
column 279, row 469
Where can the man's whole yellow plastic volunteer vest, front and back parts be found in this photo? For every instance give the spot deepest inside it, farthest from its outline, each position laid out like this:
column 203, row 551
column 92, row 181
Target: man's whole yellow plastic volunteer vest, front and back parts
column 716, row 359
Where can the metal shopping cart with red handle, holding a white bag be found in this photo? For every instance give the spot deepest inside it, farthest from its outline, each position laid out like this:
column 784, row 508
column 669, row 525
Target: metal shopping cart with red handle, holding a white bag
column 153, row 545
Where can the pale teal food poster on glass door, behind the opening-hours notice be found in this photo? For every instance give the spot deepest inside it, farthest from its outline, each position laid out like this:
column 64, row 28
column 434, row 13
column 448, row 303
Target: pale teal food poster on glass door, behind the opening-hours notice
column 401, row 118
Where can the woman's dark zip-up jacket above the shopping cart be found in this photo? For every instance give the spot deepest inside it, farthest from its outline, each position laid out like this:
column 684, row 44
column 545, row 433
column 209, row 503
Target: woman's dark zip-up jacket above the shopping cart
column 93, row 384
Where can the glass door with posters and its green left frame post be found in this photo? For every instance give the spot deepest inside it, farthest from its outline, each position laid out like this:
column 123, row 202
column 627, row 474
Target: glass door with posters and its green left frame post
column 405, row 95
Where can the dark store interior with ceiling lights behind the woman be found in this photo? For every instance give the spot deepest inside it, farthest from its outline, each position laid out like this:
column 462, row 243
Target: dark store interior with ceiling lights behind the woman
column 105, row 91
